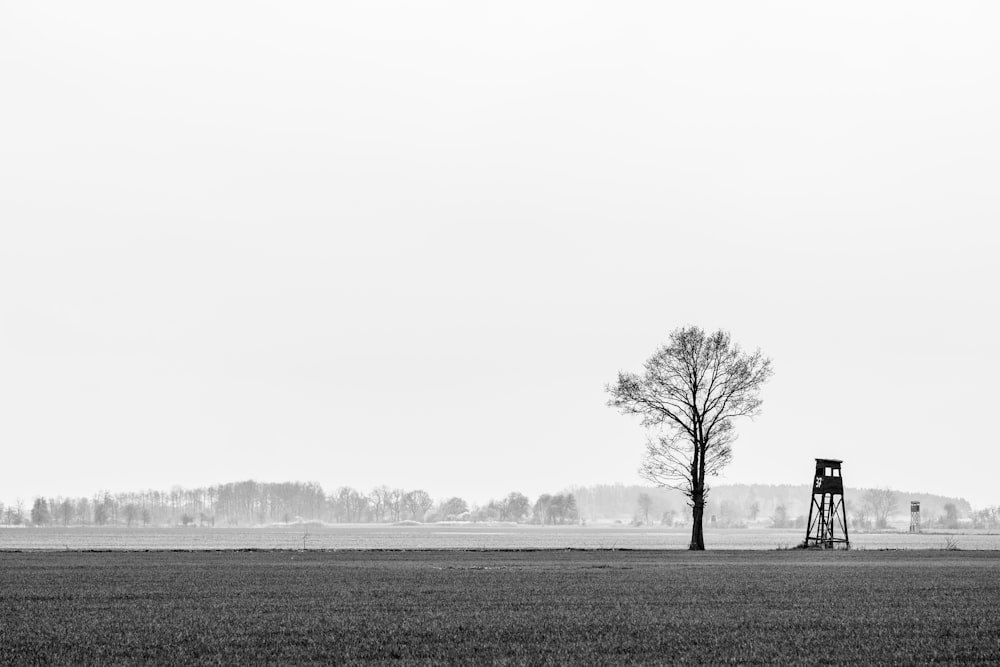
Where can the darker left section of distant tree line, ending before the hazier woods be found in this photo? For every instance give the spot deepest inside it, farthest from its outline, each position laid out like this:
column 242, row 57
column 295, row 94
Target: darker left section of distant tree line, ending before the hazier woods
column 260, row 503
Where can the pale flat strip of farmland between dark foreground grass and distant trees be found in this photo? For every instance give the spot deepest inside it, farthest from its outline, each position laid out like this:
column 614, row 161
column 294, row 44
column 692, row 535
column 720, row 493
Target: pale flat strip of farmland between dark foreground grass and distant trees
column 454, row 536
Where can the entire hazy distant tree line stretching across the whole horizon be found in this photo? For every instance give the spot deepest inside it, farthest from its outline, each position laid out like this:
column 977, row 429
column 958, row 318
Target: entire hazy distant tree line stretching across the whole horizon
column 259, row 503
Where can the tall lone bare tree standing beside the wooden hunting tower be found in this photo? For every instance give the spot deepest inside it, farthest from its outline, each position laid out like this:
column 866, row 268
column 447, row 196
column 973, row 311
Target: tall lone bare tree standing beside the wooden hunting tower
column 691, row 390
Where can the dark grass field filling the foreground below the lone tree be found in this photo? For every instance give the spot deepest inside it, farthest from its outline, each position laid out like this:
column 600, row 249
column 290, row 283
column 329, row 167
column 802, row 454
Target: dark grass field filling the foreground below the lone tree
column 568, row 607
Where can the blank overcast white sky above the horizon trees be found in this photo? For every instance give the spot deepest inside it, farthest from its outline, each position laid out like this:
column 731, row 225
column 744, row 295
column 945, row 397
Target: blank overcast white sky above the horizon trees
column 409, row 243
